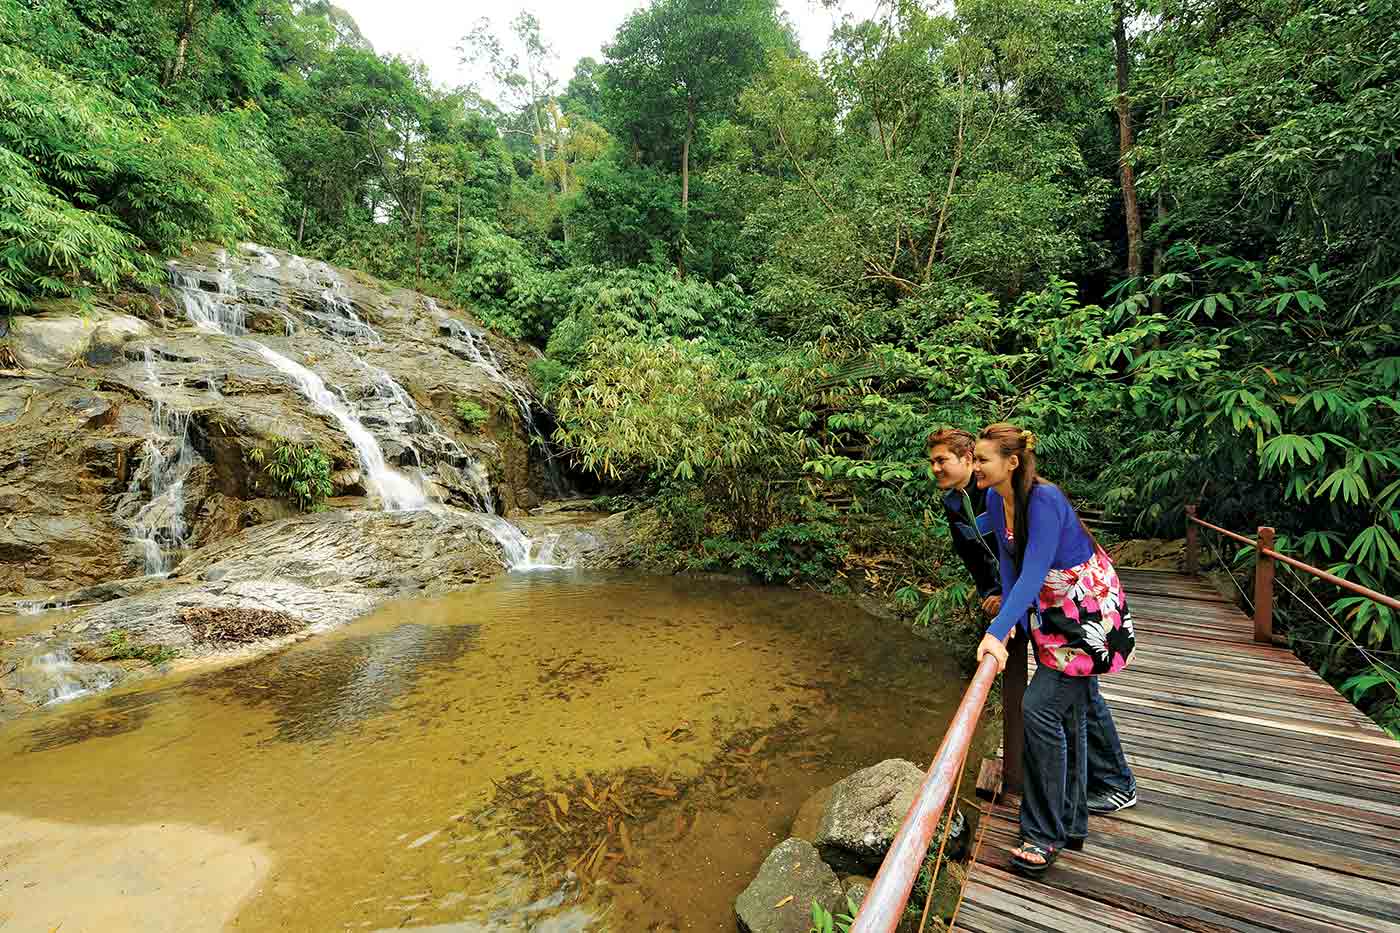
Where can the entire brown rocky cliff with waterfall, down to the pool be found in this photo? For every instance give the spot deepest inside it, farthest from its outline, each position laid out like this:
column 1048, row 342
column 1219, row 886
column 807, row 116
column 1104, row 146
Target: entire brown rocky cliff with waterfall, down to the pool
column 136, row 439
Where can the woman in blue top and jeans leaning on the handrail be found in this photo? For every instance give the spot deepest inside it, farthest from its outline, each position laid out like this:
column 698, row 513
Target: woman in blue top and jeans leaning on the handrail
column 1058, row 582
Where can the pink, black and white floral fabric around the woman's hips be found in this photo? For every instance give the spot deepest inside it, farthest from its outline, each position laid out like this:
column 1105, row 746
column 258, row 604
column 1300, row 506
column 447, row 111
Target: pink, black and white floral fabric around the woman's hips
column 1081, row 626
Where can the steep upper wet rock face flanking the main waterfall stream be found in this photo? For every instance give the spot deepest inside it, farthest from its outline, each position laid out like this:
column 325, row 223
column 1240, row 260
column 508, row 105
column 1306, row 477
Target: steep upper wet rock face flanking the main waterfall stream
column 76, row 441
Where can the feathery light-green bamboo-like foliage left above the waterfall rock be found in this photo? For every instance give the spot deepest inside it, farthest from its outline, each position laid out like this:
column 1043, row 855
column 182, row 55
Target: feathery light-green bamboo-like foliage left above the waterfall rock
column 92, row 186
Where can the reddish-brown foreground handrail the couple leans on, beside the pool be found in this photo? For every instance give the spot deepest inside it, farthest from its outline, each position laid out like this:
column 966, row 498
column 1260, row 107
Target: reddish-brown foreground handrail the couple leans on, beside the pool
column 884, row 904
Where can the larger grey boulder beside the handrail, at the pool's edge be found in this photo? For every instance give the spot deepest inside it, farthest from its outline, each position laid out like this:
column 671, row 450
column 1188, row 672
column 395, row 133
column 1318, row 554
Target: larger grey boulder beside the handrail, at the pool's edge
column 864, row 815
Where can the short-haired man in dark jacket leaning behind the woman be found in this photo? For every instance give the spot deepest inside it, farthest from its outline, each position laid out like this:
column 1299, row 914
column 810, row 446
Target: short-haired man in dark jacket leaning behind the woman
column 1112, row 785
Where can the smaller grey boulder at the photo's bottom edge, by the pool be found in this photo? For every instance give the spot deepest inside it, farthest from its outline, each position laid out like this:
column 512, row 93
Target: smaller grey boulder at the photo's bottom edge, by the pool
column 780, row 897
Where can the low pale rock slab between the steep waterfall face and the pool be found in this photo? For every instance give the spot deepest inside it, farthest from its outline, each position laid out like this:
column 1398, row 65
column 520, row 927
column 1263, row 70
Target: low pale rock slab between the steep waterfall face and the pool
column 304, row 572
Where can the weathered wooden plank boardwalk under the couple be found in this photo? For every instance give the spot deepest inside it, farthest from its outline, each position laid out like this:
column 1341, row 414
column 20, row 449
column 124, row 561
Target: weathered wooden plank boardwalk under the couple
column 1266, row 801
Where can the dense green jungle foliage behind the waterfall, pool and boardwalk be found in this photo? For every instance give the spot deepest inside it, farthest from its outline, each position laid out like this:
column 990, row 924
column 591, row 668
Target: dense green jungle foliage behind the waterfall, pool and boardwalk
column 762, row 279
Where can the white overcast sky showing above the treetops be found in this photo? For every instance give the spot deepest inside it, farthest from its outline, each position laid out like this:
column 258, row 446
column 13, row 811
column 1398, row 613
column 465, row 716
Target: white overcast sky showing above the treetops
column 430, row 30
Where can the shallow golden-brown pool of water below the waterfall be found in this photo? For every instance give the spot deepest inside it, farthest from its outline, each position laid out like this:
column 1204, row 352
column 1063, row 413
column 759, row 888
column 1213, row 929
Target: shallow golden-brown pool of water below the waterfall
column 541, row 753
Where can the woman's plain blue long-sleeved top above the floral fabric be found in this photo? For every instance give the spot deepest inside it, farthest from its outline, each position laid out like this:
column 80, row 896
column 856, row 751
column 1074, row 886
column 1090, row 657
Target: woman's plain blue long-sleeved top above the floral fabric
column 1058, row 541
